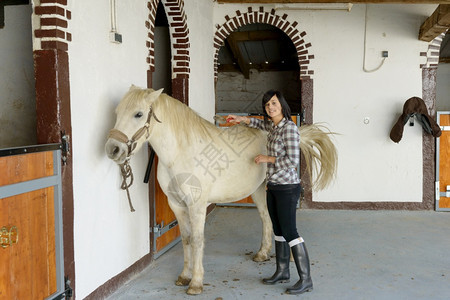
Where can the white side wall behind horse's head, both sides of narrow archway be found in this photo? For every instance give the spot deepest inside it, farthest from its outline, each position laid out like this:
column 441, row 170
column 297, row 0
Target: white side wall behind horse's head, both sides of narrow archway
column 108, row 237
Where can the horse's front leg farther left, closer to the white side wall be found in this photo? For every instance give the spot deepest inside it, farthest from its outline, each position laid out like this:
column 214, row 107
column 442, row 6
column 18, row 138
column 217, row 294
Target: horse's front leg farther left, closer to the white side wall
column 182, row 215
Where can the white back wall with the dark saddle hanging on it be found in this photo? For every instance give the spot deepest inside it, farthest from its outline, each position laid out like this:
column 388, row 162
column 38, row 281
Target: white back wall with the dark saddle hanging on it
column 371, row 166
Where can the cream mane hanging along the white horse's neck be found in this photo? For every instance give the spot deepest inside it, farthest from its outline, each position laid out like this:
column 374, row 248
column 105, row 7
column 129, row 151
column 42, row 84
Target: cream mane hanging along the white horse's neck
column 185, row 123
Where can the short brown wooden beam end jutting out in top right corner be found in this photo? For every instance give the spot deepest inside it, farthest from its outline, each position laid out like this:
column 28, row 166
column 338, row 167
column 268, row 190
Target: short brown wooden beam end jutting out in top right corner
column 436, row 24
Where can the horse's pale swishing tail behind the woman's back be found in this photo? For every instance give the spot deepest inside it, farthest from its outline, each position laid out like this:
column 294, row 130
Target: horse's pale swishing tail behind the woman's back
column 320, row 154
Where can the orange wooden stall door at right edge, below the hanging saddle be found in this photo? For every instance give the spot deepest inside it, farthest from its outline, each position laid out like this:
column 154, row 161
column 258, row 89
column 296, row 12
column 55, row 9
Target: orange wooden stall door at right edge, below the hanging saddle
column 443, row 171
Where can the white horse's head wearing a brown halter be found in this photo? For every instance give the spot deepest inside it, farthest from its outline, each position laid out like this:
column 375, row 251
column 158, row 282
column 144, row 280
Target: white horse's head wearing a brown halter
column 133, row 124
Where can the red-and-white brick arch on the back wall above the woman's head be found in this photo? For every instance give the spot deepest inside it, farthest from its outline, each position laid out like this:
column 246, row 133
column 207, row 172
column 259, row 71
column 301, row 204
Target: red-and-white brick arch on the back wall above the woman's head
column 271, row 18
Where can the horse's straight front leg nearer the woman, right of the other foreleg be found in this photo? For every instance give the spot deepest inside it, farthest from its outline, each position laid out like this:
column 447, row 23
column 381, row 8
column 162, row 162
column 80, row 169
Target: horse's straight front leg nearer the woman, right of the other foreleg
column 197, row 215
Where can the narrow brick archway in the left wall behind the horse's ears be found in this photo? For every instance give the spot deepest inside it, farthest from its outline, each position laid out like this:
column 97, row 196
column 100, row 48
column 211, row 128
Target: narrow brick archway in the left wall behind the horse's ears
column 179, row 36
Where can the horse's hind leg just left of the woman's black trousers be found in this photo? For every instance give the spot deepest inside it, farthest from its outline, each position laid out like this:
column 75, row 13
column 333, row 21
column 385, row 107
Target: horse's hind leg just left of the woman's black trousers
column 259, row 197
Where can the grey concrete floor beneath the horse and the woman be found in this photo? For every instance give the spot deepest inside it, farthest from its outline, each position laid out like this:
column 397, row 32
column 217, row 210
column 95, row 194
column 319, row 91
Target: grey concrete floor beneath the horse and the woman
column 354, row 255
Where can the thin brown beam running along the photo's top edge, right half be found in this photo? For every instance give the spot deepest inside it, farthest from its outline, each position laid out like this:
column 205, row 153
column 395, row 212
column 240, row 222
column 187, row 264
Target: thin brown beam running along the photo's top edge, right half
column 337, row 1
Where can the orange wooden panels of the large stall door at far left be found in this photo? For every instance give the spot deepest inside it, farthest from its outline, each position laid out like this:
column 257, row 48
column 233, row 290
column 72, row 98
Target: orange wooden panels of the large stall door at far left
column 28, row 266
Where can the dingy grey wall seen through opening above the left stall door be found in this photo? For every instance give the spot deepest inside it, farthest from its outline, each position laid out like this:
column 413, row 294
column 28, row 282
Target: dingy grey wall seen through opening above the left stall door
column 17, row 92
